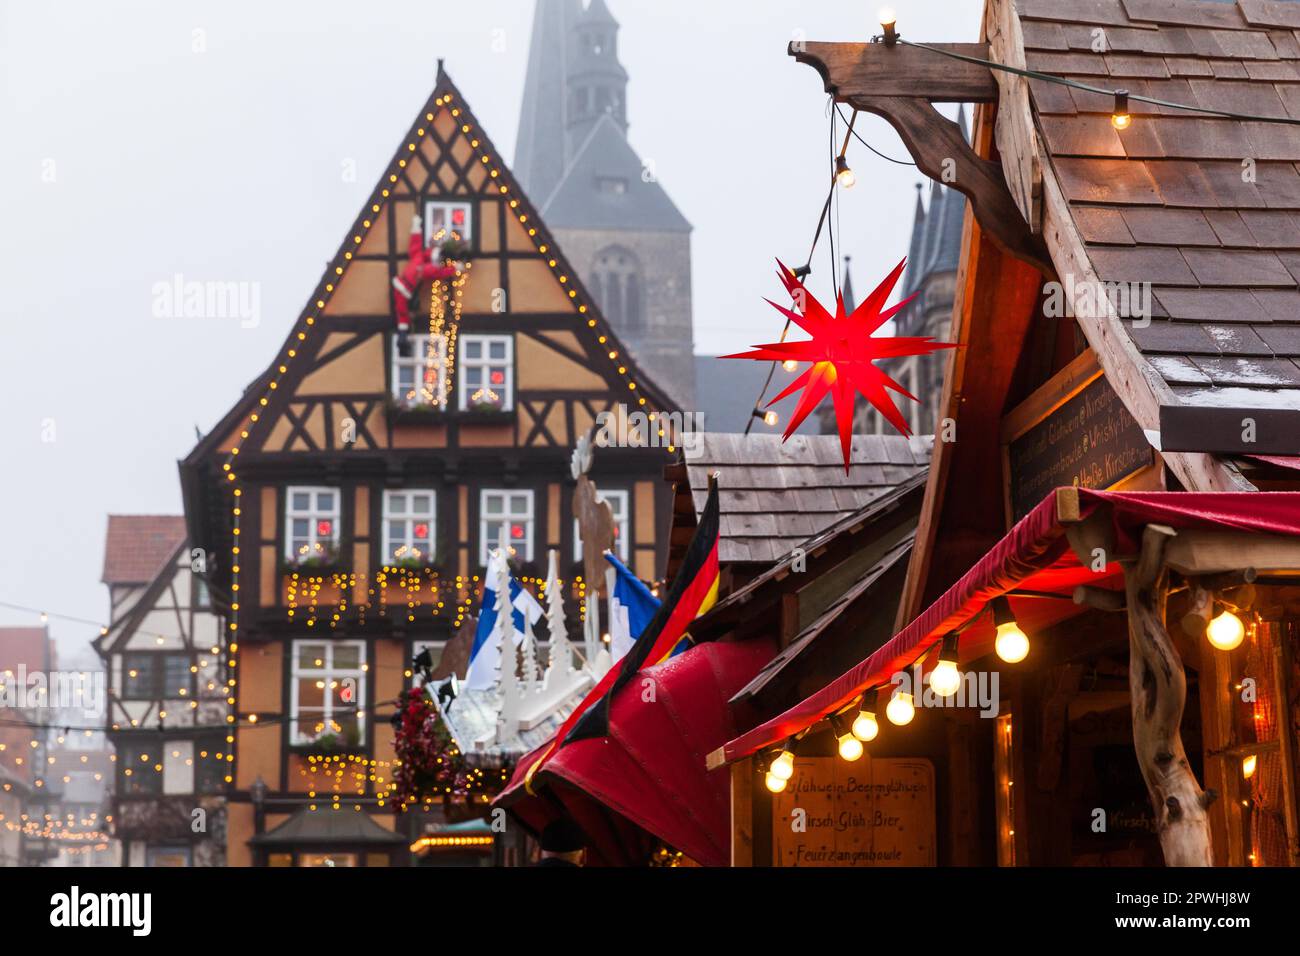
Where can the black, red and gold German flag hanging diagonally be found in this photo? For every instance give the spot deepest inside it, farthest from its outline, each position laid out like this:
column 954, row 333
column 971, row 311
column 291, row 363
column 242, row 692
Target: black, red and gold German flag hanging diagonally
column 694, row 592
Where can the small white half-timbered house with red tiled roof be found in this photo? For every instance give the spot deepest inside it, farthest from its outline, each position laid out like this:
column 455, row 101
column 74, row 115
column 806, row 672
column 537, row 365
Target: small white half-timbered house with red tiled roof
column 167, row 706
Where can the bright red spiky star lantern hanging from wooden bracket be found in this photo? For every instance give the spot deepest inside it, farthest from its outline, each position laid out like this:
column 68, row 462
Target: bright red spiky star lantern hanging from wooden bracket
column 843, row 354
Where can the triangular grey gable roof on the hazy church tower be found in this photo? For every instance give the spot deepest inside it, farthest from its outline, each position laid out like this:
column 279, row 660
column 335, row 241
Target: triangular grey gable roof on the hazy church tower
column 579, row 202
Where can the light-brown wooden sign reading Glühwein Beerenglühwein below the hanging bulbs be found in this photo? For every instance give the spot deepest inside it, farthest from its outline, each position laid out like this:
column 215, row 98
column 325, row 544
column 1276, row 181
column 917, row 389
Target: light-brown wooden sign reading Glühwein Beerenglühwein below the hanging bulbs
column 866, row 814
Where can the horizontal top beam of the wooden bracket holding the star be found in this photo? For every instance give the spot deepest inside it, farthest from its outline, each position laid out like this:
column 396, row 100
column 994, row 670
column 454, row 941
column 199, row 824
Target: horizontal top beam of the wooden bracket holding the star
column 853, row 71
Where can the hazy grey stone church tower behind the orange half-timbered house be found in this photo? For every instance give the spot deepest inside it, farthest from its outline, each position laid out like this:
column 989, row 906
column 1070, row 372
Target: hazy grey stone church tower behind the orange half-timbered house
column 629, row 241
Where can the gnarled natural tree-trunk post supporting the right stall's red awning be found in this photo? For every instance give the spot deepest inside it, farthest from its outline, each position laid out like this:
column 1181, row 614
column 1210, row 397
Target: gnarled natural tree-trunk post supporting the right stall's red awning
column 1158, row 686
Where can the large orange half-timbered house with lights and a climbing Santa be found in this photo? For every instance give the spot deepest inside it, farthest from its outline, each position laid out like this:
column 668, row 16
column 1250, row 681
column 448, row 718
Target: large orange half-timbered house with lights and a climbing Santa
column 349, row 501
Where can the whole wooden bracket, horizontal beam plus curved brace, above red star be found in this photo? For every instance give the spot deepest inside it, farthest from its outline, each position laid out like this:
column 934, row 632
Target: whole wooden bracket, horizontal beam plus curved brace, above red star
column 902, row 85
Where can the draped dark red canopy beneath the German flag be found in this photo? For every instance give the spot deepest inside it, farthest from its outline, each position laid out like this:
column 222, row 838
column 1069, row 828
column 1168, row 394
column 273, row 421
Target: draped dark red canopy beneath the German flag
column 651, row 771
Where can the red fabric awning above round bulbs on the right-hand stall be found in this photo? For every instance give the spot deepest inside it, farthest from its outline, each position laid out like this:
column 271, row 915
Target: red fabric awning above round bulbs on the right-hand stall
column 1034, row 557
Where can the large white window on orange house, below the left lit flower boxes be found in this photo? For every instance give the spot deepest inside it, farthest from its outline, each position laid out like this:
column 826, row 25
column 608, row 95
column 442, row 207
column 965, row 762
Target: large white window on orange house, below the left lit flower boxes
column 328, row 690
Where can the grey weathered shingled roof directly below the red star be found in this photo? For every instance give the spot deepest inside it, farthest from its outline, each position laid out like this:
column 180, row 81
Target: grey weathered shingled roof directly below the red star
column 775, row 496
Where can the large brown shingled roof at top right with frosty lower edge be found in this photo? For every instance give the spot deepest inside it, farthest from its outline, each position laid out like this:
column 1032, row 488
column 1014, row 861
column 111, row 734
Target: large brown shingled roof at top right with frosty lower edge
column 1206, row 209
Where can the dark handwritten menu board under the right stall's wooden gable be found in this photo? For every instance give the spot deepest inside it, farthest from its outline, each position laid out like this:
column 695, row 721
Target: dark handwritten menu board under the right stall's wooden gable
column 1073, row 431
